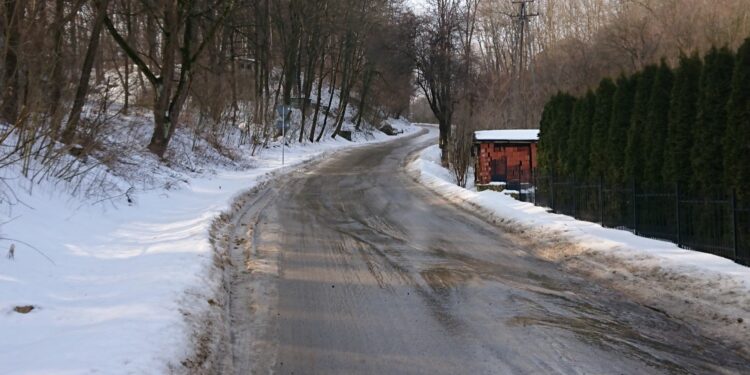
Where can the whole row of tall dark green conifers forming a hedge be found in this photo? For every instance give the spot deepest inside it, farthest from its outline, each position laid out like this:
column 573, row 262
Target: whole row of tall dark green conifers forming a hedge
column 689, row 125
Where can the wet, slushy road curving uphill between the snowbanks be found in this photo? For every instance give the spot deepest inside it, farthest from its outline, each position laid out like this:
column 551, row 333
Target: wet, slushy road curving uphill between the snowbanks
column 350, row 267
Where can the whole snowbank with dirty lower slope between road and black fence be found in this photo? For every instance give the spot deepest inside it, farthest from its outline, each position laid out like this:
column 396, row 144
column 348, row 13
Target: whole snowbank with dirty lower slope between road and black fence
column 711, row 291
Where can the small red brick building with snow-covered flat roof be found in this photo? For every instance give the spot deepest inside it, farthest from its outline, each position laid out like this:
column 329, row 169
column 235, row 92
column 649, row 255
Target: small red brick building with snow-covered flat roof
column 504, row 159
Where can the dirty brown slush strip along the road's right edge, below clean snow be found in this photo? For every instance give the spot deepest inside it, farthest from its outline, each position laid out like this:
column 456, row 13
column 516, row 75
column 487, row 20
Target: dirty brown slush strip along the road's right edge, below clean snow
column 595, row 265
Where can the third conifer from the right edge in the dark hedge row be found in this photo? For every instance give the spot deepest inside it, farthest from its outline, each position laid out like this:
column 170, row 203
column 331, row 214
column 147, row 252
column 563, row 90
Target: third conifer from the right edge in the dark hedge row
column 682, row 116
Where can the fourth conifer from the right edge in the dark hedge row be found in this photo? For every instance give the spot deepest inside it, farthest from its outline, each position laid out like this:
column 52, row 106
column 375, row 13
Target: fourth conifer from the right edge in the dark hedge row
column 655, row 129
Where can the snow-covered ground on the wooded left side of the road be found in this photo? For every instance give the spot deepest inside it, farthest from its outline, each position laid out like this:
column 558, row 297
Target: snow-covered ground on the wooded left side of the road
column 111, row 281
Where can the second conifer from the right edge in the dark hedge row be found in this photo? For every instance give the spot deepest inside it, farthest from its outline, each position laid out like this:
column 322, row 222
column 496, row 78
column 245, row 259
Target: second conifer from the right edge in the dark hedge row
column 715, row 87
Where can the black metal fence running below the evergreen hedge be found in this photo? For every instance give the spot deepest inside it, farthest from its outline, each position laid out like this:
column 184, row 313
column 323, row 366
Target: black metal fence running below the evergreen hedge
column 713, row 223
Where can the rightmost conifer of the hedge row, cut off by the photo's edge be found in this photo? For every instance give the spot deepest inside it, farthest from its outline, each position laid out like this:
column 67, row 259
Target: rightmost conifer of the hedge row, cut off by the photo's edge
column 737, row 139
